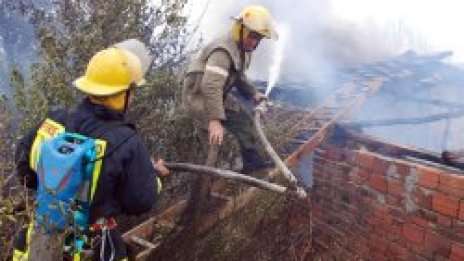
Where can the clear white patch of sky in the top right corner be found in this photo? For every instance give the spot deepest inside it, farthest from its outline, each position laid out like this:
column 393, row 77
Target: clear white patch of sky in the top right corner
column 436, row 25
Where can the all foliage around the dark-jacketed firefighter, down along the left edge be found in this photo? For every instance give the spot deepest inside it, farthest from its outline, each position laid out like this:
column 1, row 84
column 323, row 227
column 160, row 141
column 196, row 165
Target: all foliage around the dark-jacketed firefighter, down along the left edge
column 69, row 32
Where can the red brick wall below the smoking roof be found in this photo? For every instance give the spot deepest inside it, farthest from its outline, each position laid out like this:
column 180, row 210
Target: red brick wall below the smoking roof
column 374, row 207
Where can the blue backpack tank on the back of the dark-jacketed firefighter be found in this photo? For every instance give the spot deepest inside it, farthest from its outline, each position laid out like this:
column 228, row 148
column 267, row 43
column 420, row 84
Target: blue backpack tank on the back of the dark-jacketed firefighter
column 64, row 169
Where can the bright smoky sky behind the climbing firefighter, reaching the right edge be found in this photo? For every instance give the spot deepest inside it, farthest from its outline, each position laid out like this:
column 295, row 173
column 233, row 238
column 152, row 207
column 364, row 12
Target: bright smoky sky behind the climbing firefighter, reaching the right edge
column 326, row 35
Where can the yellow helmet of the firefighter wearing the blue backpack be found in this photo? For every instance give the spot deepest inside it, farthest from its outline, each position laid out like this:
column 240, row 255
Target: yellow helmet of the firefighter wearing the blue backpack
column 109, row 72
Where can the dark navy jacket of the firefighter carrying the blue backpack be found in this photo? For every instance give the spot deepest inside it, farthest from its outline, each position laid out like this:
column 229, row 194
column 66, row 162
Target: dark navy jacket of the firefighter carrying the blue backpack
column 127, row 183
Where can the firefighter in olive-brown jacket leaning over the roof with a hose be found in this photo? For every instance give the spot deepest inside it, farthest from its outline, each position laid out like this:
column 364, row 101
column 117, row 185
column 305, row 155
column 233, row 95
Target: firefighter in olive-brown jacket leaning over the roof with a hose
column 218, row 67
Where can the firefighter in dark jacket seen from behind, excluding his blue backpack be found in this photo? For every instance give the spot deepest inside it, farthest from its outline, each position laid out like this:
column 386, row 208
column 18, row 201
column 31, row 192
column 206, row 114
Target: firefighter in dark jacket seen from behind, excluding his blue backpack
column 124, row 179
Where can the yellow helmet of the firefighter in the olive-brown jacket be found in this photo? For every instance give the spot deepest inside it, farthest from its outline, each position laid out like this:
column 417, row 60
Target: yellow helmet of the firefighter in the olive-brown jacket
column 255, row 18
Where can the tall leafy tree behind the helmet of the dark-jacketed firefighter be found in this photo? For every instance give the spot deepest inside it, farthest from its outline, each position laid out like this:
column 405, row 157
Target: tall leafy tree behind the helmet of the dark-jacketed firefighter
column 70, row 32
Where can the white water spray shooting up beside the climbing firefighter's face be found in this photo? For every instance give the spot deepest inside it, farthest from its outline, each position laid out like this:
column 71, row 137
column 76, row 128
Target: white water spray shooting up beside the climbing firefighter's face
column 279, row 48
